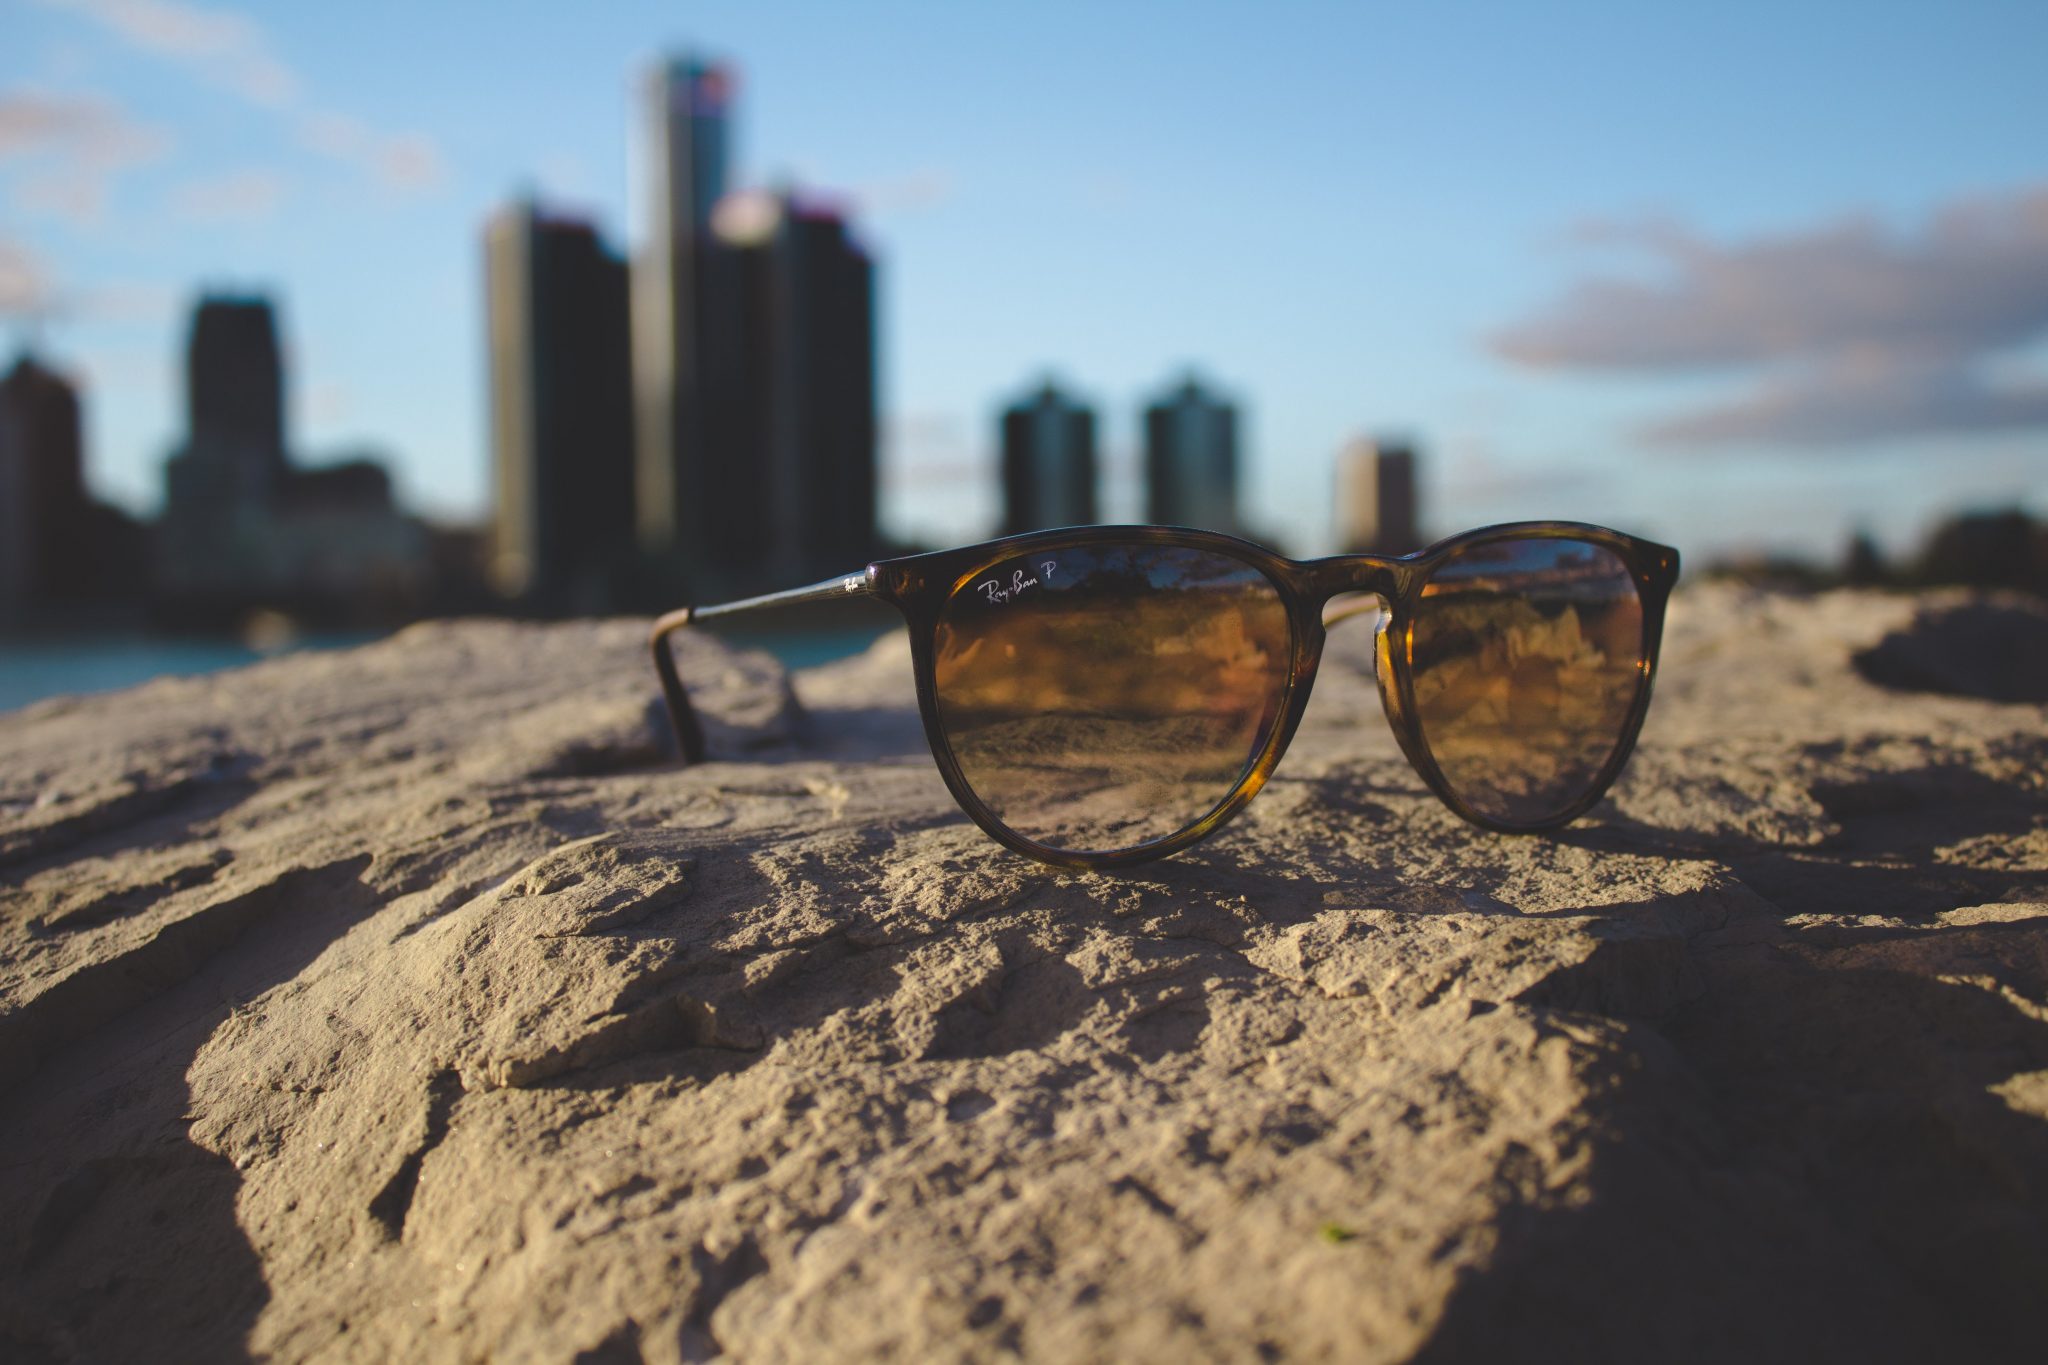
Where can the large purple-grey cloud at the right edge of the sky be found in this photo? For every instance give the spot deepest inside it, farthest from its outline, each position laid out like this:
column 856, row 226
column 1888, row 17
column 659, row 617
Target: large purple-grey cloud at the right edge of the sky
column 1846, row 333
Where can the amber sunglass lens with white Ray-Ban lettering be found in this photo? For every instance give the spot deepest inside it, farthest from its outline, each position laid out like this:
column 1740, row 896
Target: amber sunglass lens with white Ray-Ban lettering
column 1111, row 695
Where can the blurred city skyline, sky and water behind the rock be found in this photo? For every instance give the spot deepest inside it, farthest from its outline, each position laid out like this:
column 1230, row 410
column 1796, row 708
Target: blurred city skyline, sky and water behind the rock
column 316, row 320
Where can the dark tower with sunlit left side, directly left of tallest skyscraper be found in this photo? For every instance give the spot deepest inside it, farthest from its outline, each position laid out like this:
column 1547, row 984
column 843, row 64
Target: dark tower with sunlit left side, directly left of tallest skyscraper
column 562, row 410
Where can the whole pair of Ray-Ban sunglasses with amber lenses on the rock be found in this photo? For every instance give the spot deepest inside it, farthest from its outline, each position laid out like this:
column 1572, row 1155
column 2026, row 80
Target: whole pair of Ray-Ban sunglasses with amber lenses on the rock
column 1109, row 695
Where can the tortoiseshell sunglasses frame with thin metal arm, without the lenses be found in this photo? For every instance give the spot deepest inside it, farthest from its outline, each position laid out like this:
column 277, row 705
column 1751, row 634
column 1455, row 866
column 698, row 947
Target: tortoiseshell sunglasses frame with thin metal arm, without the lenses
column 921, row 586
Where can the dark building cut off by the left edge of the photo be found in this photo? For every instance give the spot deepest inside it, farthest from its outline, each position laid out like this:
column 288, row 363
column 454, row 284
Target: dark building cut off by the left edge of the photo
column 46, row 517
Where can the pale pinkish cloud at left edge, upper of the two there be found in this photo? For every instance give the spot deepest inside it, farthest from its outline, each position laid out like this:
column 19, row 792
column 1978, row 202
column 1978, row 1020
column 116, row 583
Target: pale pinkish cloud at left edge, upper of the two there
column 73, row 150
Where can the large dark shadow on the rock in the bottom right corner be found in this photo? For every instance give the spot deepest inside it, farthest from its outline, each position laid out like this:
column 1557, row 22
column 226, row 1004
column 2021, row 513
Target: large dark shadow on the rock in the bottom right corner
column 1809, row 1159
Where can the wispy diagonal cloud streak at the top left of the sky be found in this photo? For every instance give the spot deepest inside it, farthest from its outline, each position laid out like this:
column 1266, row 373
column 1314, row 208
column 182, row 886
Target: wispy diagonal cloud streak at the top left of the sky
column 232, row 52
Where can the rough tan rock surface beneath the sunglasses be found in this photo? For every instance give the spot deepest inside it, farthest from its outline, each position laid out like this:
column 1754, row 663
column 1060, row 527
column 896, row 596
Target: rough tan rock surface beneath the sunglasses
column 411, row 1004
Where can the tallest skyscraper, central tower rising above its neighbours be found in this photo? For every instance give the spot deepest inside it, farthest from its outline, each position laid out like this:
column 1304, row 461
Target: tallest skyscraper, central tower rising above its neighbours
column 685, row 159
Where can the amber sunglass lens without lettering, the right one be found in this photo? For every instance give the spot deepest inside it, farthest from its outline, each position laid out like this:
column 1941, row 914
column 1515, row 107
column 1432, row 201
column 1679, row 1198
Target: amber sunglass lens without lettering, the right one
column 1527, row 662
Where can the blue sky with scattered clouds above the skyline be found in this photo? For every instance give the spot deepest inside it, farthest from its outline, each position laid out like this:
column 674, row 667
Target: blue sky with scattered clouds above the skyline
column 1740, row 277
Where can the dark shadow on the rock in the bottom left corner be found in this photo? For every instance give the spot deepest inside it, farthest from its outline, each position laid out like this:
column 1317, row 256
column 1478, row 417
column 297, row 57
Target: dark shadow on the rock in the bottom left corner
column 124, row 1241
